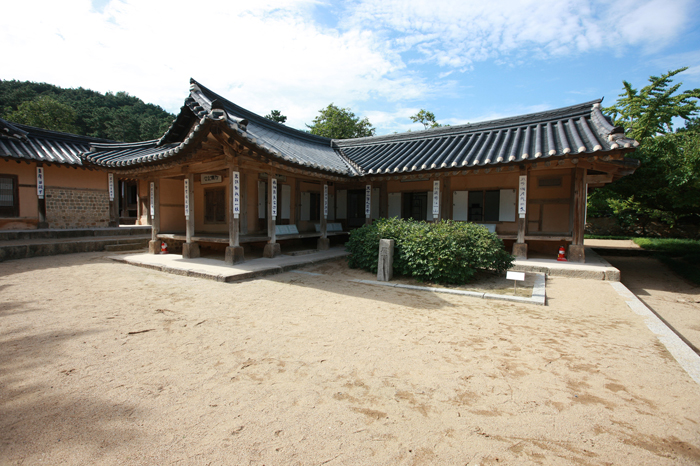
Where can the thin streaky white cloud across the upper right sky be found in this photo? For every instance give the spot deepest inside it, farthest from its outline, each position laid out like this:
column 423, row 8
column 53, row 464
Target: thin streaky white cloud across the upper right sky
column 457, row 34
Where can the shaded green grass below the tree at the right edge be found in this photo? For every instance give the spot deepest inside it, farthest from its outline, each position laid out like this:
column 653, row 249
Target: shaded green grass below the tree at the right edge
column 680, row 255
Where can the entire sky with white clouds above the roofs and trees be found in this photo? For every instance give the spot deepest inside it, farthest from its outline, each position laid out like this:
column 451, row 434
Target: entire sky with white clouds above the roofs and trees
column 465, row 61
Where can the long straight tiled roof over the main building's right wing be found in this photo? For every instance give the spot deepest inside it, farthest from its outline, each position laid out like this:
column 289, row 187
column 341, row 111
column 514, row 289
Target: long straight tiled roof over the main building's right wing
column 579, row 129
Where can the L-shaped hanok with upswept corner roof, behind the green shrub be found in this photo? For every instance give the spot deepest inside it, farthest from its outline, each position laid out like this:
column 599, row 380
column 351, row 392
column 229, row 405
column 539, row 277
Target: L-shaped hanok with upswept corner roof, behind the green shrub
column 222, row 174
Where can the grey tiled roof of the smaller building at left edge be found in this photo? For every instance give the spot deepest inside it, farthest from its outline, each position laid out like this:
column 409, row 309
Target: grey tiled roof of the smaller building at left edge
column 41, row 145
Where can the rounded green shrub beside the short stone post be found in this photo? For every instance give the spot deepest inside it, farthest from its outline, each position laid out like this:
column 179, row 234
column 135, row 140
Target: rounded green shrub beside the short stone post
column 444, row 252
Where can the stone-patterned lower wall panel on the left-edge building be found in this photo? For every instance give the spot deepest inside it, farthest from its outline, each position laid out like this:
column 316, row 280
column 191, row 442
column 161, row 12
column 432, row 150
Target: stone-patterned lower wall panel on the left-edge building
column 77, row 208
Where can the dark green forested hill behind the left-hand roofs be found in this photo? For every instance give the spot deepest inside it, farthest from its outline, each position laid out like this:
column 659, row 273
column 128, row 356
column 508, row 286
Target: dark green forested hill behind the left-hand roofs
column 119, row 117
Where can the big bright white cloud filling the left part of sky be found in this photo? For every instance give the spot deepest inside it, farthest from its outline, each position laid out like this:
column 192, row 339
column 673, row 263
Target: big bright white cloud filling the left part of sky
column 265, row 56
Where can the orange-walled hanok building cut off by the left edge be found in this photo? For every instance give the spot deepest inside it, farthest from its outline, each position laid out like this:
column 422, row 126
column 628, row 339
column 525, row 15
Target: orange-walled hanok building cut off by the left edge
column 44, row 184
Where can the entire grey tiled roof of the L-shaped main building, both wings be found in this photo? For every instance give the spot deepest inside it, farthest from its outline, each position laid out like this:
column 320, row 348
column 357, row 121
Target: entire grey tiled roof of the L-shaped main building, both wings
column 579, row 129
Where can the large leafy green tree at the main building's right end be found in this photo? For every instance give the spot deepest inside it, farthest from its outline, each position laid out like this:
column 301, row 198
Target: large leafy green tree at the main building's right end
column 666, row 186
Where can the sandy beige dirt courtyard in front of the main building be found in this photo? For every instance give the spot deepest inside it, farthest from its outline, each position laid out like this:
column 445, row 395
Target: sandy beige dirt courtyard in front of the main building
column 105, row 363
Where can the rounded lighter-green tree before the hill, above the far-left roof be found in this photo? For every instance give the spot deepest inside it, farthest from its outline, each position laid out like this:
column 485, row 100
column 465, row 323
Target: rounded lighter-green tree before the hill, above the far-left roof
column 45, row 112
